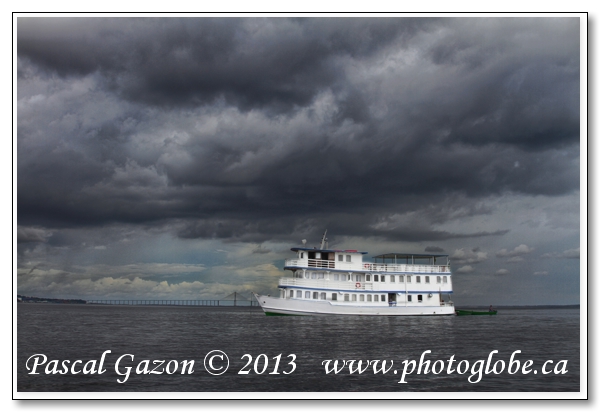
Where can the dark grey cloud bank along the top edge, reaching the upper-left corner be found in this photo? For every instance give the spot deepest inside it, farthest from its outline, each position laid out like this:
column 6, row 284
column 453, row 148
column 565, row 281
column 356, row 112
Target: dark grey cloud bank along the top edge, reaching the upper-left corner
column 249, row 62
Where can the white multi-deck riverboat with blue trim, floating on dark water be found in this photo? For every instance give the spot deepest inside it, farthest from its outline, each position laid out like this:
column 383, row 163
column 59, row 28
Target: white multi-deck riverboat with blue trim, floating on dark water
column 338, row 282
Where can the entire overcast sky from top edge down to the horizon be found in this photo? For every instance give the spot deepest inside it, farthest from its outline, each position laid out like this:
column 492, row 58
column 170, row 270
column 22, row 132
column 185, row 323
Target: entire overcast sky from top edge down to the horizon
column 181, row 158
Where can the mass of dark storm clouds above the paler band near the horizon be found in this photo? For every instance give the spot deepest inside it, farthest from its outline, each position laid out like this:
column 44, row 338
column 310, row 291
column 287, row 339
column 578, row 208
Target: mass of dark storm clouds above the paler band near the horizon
column 241, row 129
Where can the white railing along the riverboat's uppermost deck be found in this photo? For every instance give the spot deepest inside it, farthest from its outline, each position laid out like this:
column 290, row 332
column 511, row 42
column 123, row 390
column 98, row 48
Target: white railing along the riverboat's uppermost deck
column 366, row 267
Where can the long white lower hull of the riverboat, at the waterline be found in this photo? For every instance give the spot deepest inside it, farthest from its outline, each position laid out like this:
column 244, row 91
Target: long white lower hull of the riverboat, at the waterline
column 276, row 307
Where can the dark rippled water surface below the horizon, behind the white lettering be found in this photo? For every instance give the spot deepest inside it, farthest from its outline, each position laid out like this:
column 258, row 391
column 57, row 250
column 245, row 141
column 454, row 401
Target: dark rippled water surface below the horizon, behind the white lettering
column 84, row 332
